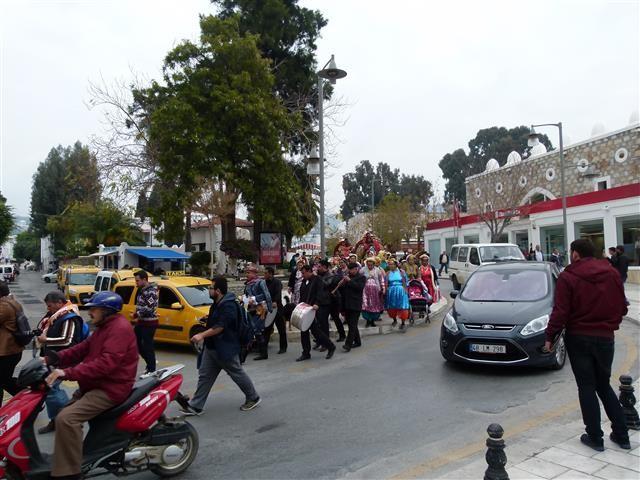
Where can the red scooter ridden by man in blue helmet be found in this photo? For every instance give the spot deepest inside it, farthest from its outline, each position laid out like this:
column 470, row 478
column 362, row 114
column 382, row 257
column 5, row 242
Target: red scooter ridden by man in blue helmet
column 129, row 438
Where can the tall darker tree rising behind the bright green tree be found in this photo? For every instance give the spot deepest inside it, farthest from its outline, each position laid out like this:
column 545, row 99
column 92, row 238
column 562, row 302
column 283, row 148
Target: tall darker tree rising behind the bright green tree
column 287, row 35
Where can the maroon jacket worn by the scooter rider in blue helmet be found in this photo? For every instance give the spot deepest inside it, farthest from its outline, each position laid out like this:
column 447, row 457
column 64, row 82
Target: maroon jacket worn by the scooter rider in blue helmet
column 107, row 360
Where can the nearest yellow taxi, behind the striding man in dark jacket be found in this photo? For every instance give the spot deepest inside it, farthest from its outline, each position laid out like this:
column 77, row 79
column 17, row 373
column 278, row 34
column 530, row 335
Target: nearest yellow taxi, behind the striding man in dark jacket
column 182, row 303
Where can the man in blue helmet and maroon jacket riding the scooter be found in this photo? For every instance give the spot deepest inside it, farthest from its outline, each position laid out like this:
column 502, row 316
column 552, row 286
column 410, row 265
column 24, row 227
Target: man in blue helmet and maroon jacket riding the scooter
column 104, row 366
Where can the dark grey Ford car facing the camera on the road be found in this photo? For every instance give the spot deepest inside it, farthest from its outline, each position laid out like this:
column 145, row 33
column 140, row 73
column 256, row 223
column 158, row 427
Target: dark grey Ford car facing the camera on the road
column 500, row 316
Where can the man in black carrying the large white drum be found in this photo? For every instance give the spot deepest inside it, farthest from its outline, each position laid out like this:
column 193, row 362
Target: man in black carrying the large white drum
column 313, row 292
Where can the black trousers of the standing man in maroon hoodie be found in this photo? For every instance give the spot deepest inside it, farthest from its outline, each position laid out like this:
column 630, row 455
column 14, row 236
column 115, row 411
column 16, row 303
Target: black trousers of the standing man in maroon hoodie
column 591, row 359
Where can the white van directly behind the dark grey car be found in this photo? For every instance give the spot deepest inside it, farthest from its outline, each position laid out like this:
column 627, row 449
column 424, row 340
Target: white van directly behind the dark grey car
column 465, row 258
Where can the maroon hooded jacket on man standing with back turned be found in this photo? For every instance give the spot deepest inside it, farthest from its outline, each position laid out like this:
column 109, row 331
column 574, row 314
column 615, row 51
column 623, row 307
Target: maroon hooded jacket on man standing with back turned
column 589, row 300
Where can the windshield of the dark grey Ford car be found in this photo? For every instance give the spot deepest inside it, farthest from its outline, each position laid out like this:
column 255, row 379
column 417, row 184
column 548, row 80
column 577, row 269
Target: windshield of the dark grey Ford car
column 506, row 286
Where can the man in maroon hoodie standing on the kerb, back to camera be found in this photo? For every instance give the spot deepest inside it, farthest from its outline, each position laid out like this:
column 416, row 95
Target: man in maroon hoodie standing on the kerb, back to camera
column 589, row 305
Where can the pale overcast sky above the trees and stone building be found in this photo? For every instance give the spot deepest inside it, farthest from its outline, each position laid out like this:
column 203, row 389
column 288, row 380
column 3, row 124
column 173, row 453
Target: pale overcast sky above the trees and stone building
column 423, row 77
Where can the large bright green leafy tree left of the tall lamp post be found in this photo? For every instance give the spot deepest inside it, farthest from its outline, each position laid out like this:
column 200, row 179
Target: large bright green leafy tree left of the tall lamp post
column 216, row 116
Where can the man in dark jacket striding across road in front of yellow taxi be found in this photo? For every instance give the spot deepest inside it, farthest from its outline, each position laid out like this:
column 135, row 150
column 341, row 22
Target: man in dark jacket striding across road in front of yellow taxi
column 221, row 350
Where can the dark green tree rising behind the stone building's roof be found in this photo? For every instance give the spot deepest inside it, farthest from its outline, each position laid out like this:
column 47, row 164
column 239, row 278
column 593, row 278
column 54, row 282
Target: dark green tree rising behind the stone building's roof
column 494, row 142
